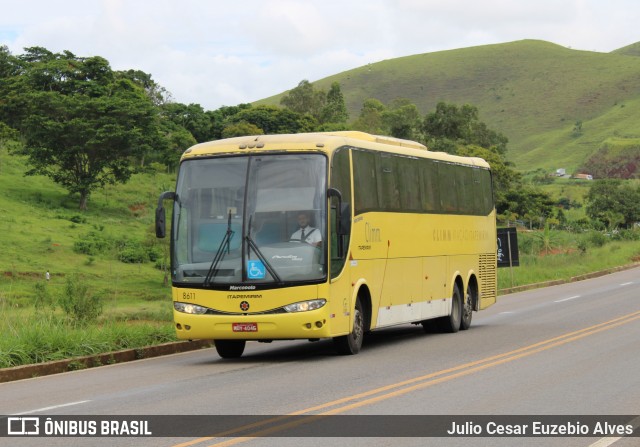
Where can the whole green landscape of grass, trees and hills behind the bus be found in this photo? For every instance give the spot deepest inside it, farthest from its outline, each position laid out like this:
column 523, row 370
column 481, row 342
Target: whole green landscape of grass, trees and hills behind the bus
column 85, row 151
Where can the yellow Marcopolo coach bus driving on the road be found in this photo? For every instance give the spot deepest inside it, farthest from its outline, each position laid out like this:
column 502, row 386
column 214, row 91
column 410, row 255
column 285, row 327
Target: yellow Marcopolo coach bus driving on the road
column 327, row 235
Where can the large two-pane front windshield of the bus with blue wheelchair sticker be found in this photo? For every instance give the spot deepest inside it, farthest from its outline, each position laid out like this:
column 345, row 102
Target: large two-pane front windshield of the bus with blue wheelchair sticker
column 250, row 220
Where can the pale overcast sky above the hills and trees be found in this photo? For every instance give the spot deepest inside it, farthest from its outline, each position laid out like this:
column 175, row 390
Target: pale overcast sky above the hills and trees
column 224, row 52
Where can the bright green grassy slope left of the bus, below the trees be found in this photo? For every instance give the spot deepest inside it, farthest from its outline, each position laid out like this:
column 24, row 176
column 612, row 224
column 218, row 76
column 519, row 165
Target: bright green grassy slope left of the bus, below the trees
column 36, row 234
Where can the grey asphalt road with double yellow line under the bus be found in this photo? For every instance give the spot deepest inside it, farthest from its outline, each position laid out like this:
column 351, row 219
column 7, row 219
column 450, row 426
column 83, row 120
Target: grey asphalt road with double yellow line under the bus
column 565, row 350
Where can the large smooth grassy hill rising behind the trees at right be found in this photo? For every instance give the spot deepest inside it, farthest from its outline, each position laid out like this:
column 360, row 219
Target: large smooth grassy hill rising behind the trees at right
column 534, row 92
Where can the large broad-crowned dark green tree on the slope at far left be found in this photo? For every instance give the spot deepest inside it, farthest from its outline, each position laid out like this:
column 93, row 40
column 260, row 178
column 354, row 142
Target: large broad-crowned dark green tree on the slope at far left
column 81, row 122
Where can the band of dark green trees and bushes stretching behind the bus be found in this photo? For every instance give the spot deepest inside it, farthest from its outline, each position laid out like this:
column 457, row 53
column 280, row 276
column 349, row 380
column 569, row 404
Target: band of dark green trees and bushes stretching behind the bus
column 86, row 126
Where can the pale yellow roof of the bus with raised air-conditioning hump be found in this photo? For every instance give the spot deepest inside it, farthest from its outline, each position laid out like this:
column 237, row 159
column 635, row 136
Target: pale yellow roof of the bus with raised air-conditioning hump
column 325, row 142
